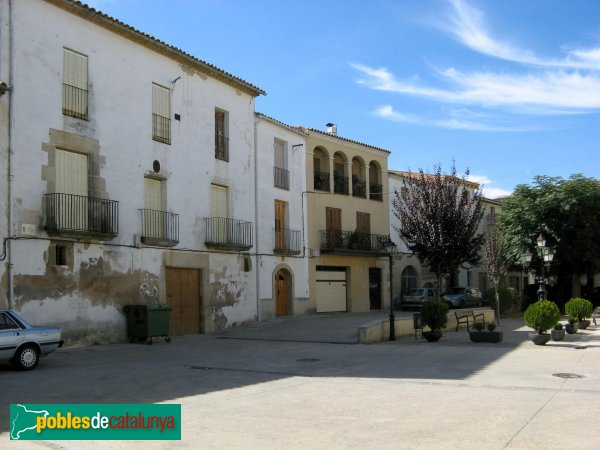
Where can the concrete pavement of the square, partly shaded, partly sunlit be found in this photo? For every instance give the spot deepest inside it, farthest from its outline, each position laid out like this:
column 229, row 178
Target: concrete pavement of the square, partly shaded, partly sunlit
column 241, row 392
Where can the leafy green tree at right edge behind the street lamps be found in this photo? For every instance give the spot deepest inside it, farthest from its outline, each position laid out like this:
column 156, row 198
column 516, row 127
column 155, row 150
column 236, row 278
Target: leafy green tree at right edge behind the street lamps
column 566, row 212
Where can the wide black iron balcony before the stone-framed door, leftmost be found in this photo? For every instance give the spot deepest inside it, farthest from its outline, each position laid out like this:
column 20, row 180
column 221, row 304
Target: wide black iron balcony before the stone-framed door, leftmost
column 78, row 216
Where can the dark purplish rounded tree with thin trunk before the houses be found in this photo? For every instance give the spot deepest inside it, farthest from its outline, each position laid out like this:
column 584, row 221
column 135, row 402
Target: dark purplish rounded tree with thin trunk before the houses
column 439, row 220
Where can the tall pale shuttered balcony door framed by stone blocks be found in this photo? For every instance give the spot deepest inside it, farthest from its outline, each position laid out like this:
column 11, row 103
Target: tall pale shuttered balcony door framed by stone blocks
column 71, row 178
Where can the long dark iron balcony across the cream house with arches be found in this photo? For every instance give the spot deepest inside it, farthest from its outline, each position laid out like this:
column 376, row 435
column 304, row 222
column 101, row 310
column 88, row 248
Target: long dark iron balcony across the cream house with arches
column 353, row 242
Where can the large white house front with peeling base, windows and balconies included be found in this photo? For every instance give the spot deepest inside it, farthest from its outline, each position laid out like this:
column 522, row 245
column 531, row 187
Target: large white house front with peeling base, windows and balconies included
column 128, row 176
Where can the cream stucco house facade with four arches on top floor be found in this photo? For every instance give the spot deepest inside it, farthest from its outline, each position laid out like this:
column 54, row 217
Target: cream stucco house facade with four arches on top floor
column 348, row 223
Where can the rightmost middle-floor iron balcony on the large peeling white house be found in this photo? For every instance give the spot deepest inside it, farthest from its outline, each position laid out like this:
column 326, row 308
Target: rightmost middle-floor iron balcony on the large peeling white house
column 228, row 234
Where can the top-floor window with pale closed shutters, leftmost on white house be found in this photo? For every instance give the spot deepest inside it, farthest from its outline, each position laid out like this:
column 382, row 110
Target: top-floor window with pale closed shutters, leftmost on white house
column 75, row 84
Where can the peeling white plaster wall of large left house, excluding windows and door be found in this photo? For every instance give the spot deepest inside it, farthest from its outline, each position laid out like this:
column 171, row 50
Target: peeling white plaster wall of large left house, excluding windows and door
column 86, row 296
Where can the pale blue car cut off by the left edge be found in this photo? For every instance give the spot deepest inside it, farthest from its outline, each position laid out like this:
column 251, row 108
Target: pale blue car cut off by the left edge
column 23, row 344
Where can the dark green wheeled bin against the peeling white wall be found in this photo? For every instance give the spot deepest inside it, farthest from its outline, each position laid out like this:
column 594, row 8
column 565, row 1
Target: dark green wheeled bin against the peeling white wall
column 148, row 321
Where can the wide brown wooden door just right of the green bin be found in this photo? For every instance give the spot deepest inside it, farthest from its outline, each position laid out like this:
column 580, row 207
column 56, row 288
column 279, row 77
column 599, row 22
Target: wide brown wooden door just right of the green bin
column 183, row 295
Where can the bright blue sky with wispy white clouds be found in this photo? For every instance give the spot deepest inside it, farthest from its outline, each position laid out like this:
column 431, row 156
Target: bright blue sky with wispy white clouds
column 509, row 89
